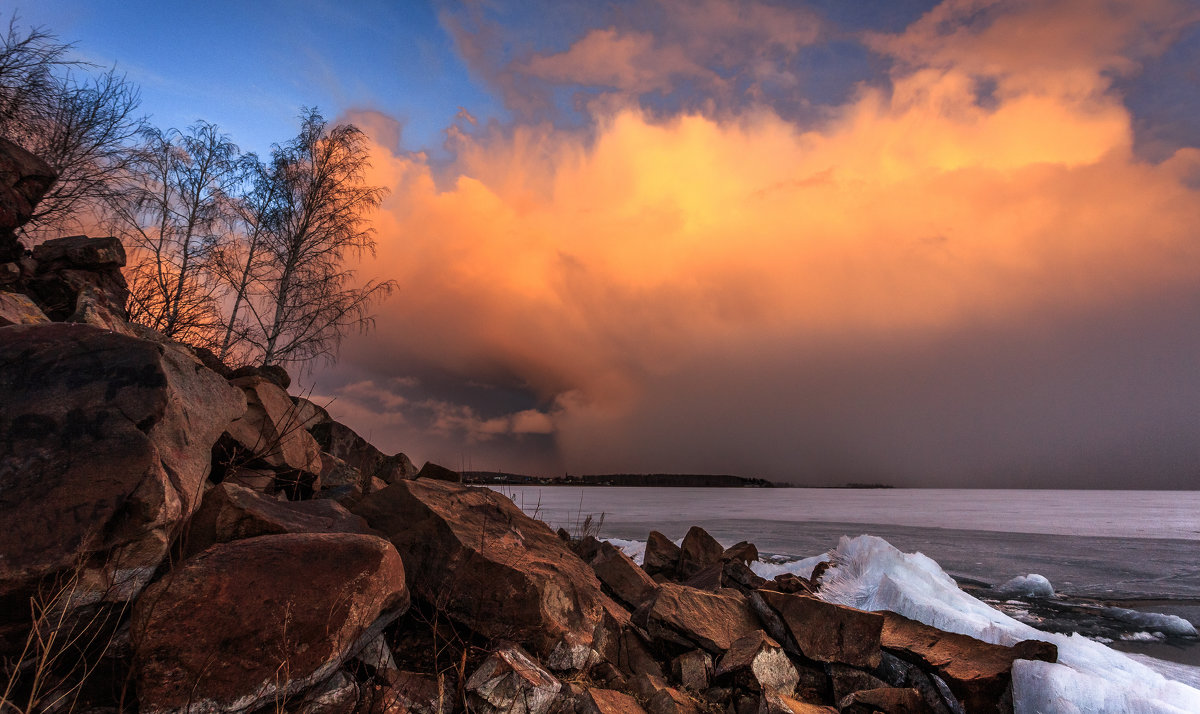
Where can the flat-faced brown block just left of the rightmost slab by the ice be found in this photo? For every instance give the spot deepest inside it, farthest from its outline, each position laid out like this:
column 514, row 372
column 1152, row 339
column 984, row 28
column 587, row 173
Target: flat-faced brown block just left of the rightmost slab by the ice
column 830, row 633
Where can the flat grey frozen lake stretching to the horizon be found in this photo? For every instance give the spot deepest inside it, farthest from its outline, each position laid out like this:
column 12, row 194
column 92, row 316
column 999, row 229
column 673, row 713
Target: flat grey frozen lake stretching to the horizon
column 1099, row 544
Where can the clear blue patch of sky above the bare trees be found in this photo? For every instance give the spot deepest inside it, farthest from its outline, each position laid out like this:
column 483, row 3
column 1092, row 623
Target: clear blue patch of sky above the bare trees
column 250, row 67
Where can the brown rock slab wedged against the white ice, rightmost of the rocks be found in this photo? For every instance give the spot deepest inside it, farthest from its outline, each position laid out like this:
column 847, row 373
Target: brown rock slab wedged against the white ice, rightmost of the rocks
column 977, row 673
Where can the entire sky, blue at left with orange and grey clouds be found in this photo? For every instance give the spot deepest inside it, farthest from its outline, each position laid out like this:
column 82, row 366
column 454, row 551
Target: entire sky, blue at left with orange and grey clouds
column 945, row 244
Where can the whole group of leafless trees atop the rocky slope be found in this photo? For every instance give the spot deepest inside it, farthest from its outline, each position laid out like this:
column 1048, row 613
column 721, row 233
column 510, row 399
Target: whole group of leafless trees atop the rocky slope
column 229, row 251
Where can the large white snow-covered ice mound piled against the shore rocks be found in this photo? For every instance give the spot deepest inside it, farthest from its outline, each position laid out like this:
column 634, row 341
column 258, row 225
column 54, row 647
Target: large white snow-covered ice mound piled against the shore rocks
column 871, row 574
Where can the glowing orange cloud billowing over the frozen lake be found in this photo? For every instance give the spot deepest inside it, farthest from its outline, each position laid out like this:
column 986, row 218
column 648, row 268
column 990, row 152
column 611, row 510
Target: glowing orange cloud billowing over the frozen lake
column 598, row 271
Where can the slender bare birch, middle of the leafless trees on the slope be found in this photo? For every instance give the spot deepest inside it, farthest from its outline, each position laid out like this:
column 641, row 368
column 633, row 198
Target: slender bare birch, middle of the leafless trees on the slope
column 175, row 218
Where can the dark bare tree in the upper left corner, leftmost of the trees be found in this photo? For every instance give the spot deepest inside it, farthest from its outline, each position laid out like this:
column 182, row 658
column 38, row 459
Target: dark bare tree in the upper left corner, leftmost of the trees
column 82, row 125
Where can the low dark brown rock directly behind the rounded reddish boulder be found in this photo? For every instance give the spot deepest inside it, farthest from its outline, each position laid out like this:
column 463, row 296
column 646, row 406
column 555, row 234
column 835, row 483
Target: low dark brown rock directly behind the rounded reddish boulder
column 232, row 513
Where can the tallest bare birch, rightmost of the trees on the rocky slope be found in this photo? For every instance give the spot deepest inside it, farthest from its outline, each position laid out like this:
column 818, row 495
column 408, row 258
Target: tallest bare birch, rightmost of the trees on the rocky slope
column 305, row 301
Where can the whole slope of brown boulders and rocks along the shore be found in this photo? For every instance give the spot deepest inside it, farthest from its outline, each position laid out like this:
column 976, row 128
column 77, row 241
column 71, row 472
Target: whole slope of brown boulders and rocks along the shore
column 181, row 537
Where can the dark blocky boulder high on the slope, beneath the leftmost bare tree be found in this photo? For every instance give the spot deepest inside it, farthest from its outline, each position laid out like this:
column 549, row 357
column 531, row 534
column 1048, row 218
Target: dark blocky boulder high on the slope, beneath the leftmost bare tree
column 80, row 280
